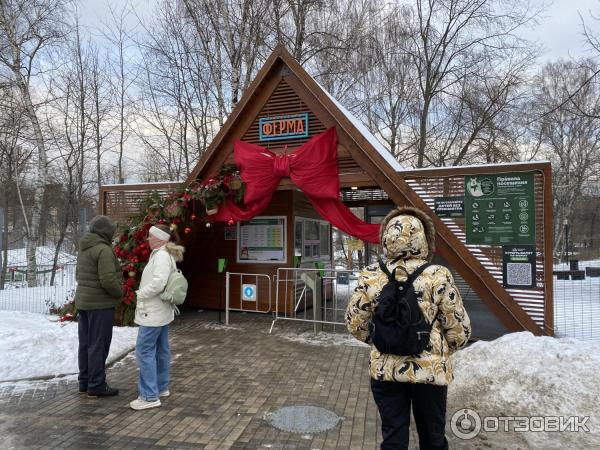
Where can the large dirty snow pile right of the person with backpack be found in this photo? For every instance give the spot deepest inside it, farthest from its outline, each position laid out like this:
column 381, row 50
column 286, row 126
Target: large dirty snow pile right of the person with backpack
column 520, row 374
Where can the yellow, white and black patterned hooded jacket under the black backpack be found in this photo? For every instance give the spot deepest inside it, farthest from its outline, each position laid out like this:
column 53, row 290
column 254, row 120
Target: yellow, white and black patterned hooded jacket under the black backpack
column 407, row 239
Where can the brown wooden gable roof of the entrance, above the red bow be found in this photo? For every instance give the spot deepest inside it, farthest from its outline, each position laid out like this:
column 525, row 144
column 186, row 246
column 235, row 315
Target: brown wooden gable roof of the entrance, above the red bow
column 283, row 86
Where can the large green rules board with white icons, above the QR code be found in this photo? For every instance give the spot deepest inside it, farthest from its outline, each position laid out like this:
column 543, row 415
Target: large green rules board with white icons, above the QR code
column 500, row 208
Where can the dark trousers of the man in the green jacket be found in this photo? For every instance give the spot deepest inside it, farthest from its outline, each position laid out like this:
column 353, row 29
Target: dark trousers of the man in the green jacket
column 95, row 335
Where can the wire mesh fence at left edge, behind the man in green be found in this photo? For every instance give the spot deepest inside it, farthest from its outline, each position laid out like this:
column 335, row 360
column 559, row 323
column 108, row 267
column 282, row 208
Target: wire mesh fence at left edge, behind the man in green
column 17, row 296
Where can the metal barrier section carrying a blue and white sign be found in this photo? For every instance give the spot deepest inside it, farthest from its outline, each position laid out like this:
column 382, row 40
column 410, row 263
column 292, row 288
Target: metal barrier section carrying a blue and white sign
column 261, row 281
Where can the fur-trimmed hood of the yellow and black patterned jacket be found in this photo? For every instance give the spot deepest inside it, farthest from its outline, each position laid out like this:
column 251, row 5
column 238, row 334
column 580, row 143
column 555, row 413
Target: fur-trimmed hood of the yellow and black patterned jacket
column 406, row 233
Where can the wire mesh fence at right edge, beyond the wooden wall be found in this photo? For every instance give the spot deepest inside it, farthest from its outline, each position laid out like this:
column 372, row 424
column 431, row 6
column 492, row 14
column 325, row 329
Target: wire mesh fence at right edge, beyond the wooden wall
column 577, row 300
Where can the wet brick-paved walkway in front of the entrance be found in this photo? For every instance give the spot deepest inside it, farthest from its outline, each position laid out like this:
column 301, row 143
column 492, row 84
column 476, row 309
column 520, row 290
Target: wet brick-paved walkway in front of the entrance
column 225, row 381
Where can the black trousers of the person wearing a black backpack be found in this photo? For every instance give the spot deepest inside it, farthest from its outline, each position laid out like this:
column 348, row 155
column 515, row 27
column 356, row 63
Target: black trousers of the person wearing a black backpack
column 429, row 409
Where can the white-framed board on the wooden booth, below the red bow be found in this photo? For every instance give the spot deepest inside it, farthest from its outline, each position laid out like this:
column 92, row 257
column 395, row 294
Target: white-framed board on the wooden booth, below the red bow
column 262, row 239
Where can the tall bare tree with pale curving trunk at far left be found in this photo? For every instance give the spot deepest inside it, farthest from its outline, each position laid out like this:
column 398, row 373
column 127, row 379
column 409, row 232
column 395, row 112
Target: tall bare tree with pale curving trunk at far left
column 27, row 27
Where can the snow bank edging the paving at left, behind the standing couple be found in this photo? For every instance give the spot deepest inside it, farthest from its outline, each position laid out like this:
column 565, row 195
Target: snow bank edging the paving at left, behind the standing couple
column 36, row 345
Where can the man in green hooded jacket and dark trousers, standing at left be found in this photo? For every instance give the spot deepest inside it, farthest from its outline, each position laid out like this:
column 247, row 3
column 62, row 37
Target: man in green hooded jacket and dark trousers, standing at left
column 98, row 291
